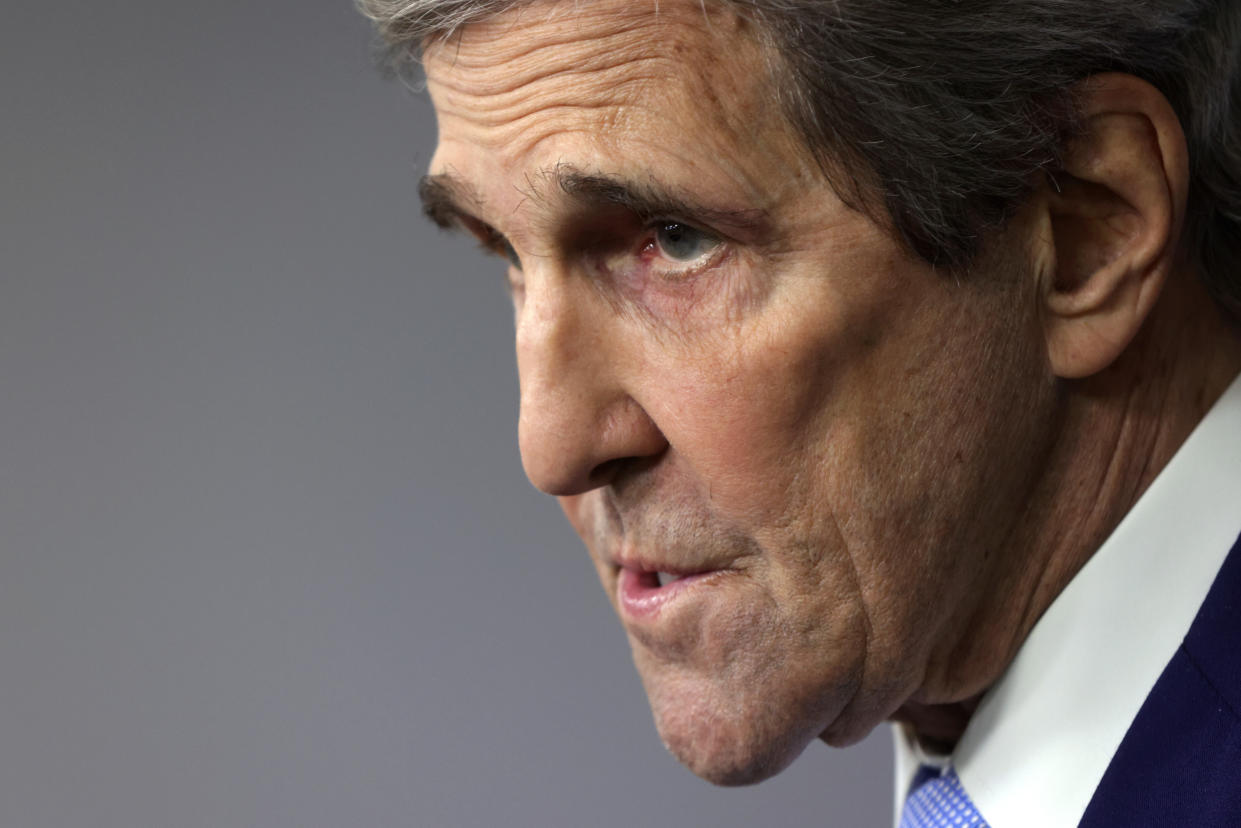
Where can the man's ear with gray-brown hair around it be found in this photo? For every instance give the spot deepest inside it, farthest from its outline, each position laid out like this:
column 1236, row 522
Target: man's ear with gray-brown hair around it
column 1115, row 213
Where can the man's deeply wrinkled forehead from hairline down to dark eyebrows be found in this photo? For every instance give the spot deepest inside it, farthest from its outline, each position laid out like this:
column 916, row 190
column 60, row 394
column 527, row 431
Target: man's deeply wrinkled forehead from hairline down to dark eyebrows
column 611, row 121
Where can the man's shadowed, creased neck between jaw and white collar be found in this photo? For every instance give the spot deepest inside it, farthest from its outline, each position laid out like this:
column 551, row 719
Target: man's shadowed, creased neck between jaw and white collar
column 1118, row 431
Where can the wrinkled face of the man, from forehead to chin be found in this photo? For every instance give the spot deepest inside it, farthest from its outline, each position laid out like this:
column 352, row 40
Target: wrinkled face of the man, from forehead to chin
column 729, row 376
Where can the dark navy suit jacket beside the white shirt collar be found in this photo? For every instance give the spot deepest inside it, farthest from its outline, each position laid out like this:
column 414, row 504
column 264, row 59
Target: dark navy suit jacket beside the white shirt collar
column 1180, row 764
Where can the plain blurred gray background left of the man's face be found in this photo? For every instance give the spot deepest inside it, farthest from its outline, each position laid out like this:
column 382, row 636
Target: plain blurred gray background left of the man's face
column 267, row 557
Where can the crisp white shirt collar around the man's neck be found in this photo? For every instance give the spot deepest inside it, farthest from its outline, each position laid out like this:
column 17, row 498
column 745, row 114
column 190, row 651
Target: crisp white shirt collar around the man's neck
column 1039, row 743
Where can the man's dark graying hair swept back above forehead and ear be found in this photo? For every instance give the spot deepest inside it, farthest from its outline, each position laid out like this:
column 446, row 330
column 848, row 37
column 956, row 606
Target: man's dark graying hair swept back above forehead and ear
column 952, row 109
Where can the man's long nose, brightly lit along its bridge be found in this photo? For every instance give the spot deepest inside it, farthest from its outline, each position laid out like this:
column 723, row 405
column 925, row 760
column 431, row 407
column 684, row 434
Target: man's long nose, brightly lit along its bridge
column 580, row 424
